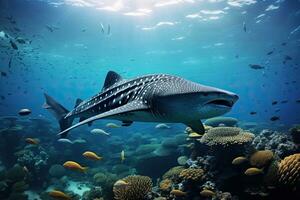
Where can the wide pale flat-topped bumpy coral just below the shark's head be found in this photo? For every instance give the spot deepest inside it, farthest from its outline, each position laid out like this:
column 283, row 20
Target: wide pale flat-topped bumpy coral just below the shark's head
column 226, row 136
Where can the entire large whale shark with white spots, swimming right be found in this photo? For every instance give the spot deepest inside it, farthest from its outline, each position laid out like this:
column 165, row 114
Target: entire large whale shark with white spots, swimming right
column 150, row 98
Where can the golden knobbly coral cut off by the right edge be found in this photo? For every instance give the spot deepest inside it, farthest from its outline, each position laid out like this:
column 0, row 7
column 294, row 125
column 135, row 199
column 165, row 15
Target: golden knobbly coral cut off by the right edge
column 289, row 171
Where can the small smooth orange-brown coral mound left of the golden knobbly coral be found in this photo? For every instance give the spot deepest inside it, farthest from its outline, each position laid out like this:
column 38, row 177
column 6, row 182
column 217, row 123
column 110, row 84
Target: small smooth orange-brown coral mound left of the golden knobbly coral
column 261, row 158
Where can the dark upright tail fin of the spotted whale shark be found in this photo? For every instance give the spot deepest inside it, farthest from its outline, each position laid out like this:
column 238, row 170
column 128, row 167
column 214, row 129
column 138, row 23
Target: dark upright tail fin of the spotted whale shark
column 59, row 113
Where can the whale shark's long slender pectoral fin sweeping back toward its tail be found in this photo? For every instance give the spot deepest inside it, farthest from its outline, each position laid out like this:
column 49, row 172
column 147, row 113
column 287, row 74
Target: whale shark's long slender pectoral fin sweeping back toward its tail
column 129, row 107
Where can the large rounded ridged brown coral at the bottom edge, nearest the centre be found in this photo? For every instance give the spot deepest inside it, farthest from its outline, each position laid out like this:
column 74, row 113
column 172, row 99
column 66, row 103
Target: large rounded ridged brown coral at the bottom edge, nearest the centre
column 137, row 189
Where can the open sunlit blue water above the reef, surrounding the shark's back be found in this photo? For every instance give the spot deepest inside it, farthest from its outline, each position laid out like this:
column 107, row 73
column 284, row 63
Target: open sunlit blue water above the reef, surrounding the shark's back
column 202, row 41
